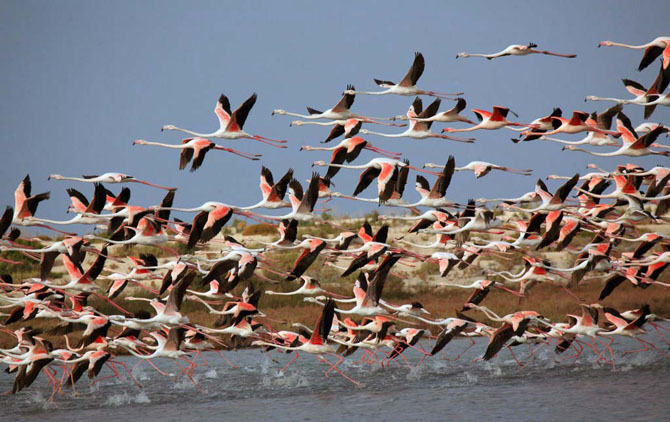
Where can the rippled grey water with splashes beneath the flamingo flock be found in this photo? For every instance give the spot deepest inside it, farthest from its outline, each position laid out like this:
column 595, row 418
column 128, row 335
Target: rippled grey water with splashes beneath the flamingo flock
column 438, row 389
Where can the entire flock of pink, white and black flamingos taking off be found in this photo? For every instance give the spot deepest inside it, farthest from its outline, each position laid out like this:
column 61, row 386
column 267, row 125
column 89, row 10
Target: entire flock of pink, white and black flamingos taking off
column 536, row 221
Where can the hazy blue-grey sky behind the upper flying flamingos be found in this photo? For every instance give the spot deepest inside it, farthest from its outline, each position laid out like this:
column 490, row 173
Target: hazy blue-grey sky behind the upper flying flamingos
column 82, row 80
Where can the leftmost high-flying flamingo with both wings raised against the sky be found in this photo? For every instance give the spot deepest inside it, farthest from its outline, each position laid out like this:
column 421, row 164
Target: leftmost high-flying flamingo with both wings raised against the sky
column 231, row 124
